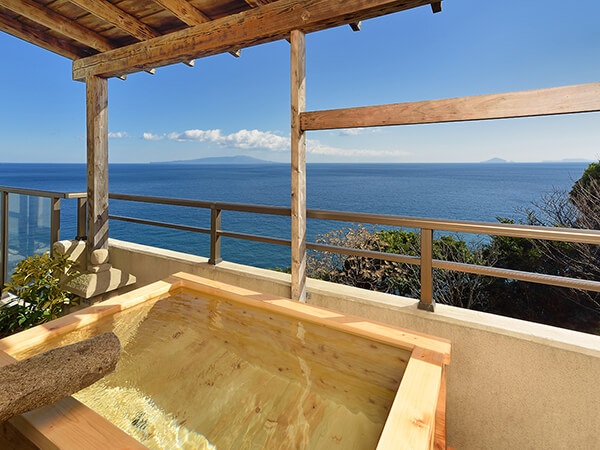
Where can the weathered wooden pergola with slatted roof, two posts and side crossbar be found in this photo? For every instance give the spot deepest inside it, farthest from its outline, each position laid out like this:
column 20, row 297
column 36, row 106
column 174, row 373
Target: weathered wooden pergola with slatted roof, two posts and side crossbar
column 118, row 37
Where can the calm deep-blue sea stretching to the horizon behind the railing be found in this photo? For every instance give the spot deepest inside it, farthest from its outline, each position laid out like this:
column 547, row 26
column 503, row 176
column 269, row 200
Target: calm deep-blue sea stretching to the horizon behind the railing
column 450, row 191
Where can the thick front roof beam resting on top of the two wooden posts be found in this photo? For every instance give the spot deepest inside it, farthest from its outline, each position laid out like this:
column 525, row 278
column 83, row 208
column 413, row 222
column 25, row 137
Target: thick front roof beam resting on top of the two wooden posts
column 252, row 27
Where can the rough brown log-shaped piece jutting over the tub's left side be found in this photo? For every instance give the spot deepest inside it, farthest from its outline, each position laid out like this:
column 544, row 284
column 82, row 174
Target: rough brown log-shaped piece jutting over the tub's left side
column 51, row 376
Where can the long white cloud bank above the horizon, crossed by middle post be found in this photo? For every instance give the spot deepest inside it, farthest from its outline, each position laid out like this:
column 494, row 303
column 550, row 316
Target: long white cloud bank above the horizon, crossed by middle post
column 255, row 139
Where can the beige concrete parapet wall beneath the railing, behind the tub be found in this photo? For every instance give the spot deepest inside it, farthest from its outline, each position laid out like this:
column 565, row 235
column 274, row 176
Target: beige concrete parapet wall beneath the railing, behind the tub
column 511, row 384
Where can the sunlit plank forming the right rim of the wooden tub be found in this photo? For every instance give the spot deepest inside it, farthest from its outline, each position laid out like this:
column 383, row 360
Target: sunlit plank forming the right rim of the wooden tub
column 411, row 421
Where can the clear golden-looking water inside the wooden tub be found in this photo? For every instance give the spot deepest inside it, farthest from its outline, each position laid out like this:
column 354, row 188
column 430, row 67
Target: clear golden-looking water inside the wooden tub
column 203, row 373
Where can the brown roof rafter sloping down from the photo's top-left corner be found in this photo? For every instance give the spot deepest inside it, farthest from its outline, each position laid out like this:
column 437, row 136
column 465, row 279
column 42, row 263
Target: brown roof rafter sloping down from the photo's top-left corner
column 45, row 16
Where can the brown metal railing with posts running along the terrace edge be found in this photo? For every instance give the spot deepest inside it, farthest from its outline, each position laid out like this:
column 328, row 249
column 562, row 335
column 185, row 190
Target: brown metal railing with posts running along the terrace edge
column 426, row 226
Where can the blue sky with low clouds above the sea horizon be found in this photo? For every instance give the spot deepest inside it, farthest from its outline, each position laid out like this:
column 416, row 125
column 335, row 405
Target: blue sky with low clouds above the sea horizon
column 227, row 106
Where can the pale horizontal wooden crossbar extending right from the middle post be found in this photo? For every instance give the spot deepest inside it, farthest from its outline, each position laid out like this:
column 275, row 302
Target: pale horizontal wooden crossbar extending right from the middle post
column 540, row 102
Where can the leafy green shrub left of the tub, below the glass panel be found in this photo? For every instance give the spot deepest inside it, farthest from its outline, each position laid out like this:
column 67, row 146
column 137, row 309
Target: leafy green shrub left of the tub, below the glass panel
column 40, row 298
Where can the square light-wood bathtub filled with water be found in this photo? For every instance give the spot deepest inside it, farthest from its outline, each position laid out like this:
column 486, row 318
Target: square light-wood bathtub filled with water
column 208, row 364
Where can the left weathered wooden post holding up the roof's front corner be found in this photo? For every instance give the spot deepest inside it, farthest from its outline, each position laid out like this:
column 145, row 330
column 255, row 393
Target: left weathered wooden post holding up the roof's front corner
column 97, row 163
